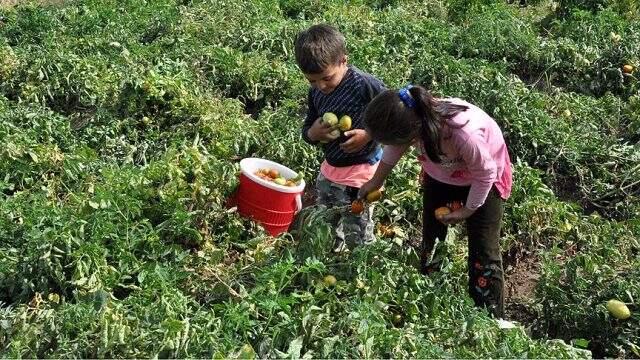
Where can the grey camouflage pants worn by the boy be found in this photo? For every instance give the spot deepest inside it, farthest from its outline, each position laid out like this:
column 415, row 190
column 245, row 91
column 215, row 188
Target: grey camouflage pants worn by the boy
column 350, row 229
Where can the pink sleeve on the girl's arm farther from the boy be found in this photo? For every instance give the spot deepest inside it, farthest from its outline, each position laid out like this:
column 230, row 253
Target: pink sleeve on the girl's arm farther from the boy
column 475, row 152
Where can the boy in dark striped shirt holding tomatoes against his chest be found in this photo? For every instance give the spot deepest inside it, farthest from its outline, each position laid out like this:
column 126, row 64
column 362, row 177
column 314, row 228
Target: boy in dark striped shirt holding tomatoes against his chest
column 351, row 159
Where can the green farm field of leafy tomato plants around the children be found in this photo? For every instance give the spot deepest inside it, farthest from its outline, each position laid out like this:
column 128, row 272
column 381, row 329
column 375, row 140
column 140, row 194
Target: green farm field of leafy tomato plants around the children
column 122, row 124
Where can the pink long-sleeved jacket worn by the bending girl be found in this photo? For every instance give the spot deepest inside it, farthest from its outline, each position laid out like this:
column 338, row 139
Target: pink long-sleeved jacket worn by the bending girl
column 474, row 154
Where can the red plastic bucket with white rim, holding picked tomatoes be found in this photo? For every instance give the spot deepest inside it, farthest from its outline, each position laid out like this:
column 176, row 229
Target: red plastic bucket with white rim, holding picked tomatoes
column 268, row 203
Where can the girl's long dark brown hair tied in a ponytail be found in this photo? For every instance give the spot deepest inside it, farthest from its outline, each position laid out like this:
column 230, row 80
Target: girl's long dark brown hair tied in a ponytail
column 390, row 121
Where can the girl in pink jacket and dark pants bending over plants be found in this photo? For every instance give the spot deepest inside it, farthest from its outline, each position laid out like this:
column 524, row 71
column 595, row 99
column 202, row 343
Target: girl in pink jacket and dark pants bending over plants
column 464, row 158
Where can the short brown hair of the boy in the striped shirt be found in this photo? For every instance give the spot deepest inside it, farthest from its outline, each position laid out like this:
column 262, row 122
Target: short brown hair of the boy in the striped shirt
column 318, row 47
